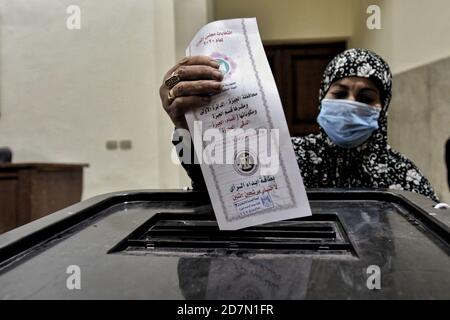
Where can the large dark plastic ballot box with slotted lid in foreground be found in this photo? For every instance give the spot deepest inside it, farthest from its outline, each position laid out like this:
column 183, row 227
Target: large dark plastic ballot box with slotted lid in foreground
column 165, row 244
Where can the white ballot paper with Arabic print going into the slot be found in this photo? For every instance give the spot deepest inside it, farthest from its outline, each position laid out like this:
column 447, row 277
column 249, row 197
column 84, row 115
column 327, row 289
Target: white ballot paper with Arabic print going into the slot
column 241, row 137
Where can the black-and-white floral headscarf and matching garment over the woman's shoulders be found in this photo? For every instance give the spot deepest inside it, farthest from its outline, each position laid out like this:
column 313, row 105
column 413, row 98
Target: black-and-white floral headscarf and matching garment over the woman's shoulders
column 374, row 164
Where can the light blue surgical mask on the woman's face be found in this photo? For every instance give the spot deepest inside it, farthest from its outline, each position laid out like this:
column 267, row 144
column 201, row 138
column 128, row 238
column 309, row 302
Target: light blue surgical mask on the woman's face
column 348, row 123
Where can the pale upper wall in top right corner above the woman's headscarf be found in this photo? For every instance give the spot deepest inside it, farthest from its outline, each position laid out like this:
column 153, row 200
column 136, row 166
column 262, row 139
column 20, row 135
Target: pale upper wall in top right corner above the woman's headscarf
column 413, row 31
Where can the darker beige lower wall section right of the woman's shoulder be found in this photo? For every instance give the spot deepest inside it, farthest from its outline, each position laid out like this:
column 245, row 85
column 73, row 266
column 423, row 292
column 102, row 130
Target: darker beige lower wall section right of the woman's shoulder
column 419, row 120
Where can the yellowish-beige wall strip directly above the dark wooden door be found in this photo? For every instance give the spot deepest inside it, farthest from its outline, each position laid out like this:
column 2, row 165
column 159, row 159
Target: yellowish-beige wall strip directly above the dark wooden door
column 292, row 20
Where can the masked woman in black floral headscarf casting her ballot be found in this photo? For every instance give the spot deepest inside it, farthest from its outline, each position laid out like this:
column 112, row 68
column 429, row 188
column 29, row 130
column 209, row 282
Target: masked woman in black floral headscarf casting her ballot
column 351, row 150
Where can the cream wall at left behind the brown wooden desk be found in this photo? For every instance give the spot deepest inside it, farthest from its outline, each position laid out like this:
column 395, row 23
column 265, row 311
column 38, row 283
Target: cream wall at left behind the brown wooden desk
column 64, row 93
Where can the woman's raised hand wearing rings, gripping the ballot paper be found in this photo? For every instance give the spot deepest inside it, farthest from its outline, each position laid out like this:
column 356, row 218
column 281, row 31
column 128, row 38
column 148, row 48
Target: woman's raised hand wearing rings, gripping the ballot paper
column 192, row 82
